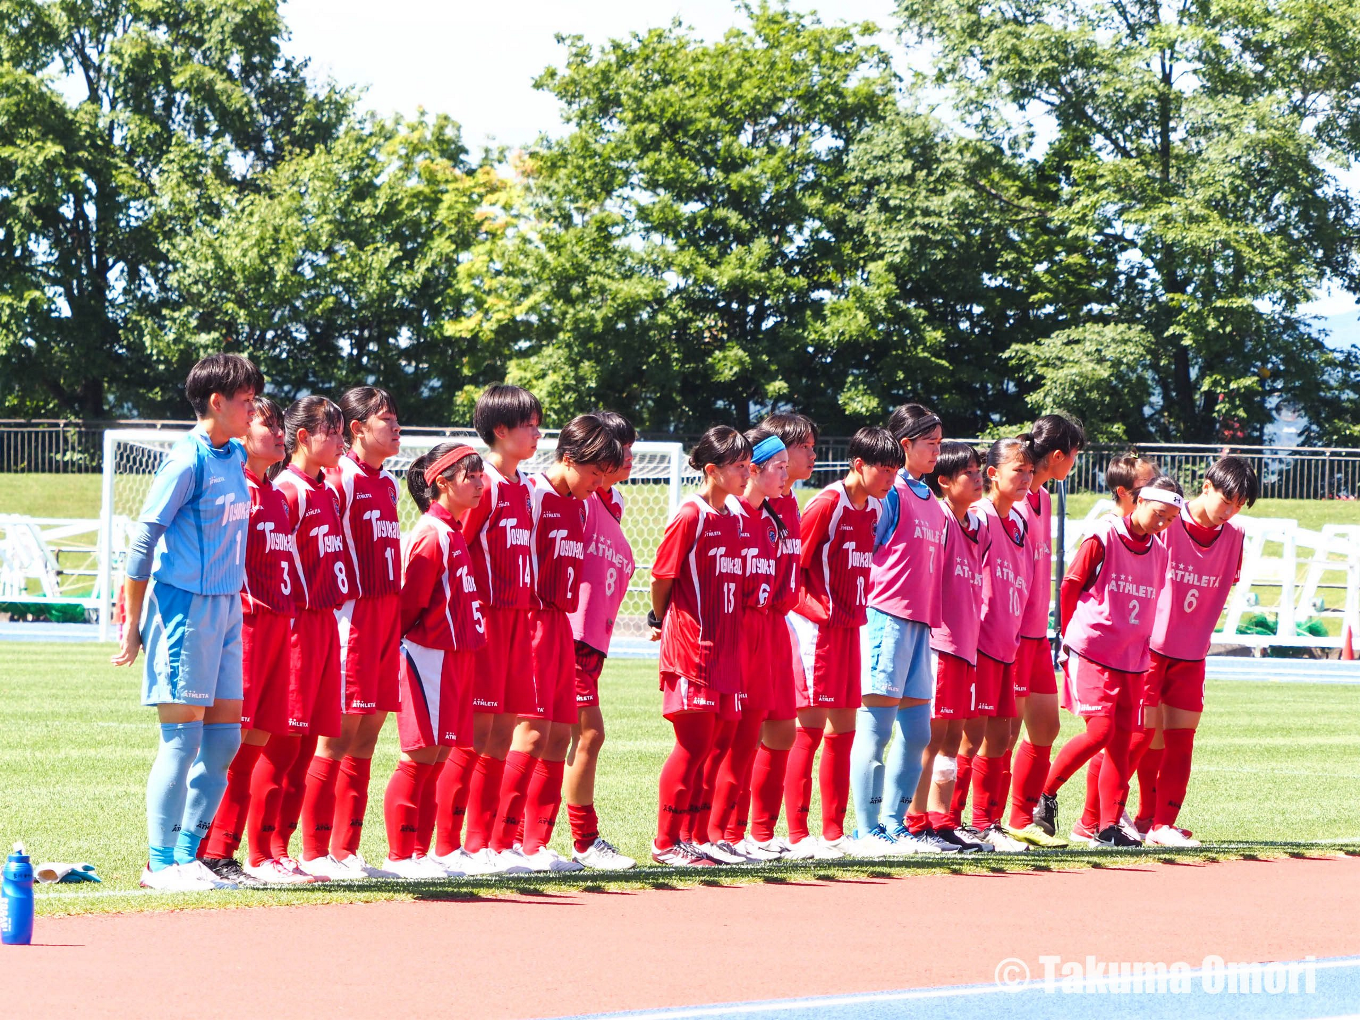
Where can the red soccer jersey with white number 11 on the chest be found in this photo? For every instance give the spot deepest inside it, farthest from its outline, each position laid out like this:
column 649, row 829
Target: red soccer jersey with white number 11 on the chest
column 372, row 530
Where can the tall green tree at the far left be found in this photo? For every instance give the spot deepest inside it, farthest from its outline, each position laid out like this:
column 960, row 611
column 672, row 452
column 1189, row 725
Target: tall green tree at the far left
column 122, row 122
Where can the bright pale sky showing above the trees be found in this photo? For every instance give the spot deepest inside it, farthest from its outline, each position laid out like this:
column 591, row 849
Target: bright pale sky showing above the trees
column 478, row 63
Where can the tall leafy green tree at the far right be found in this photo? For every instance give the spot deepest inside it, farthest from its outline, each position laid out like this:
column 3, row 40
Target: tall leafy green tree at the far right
column 1196, row 143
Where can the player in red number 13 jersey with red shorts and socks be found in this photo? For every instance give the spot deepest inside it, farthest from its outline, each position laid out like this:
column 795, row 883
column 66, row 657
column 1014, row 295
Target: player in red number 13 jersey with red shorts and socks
column 697, row 614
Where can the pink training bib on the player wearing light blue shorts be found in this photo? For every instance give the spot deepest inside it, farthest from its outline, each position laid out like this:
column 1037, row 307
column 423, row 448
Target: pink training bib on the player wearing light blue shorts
column 905, row 579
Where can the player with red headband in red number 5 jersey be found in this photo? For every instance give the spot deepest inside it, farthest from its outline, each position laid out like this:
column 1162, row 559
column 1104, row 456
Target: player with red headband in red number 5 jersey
column 441, row 629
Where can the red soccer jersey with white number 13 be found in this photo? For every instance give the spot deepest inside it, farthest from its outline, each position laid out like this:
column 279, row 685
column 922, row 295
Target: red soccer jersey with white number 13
column 701, row 634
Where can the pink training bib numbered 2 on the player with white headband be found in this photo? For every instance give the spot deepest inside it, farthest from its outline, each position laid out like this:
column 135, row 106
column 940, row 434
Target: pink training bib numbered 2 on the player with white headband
column 1113, row 619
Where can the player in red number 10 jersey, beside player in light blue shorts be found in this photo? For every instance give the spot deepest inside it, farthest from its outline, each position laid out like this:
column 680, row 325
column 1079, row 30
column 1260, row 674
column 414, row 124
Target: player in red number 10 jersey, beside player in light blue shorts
column 838, row 530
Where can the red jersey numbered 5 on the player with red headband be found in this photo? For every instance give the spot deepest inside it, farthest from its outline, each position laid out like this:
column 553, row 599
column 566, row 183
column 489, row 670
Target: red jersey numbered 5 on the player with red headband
column 440, row 605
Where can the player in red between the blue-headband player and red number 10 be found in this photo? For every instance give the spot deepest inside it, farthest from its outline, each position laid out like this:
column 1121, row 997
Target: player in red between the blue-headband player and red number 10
column 765, row 791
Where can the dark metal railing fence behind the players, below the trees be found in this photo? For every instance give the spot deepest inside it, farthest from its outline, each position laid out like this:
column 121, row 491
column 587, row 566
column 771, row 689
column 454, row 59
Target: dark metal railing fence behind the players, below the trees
column 1287, row 473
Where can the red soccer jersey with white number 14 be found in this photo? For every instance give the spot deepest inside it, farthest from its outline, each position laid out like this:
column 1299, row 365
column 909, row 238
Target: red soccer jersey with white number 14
column 498, row 534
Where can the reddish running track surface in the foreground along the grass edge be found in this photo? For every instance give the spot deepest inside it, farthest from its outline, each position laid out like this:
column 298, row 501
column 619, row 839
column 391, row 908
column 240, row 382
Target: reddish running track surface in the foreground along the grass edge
column 583, row 953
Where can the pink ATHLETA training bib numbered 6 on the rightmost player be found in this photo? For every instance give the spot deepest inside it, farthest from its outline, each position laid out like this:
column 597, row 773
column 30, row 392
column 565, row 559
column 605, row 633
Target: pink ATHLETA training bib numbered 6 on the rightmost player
column 1197, row 587
